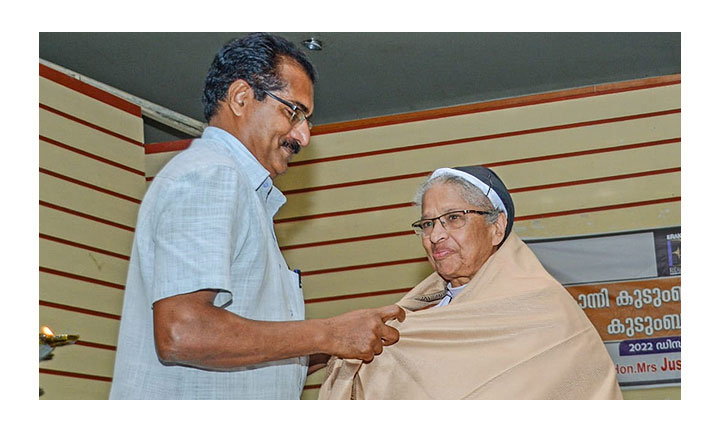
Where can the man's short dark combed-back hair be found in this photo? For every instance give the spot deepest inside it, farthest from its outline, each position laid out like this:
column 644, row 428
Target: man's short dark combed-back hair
column 255, row 59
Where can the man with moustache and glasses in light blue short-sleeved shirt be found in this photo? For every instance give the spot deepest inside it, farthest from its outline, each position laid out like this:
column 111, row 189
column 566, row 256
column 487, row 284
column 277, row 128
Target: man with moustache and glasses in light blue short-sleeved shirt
column 211, row 309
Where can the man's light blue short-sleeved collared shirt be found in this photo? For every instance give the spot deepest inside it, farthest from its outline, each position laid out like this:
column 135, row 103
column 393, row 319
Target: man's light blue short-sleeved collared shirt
column 206, row 223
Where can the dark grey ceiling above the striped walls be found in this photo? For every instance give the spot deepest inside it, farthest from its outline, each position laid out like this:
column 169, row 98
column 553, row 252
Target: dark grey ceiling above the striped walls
column 364, row 75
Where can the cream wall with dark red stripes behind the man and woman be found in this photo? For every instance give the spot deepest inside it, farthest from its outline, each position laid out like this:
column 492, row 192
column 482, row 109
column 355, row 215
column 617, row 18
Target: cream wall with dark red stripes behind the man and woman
column 599, row 159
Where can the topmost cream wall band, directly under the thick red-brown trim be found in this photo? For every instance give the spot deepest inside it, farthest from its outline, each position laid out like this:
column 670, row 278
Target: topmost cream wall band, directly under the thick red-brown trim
column 545, row 114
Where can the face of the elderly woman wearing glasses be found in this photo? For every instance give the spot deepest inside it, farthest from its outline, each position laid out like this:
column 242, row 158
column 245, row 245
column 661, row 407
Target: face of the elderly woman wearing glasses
column 458, row 254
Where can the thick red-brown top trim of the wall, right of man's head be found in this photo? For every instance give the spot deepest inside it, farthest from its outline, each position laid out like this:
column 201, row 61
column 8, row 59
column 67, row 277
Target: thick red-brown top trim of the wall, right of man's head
column 516, row 102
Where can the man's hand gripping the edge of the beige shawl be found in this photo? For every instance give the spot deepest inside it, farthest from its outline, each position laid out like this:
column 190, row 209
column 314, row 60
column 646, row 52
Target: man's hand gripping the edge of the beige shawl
column 362, row 334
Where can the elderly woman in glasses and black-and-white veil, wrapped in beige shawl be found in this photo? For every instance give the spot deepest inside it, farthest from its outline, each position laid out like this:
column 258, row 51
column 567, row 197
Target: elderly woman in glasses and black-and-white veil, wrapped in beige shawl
column 490, row 322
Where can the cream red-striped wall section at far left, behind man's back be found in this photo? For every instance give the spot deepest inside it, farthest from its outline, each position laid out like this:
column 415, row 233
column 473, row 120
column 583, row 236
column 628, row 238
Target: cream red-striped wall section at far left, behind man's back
column 91, row 181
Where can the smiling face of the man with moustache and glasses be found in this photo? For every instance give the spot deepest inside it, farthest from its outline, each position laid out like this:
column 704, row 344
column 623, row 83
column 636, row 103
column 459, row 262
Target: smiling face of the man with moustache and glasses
column 270, row 137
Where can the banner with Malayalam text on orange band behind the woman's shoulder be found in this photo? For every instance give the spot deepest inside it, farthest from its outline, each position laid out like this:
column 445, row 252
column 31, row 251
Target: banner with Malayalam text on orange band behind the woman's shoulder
column 629, row 286
